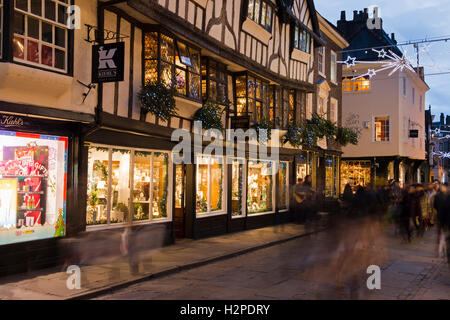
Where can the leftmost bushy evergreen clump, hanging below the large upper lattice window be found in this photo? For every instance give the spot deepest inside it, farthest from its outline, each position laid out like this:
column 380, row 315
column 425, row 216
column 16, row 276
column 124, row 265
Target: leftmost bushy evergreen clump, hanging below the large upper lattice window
column 158, row 99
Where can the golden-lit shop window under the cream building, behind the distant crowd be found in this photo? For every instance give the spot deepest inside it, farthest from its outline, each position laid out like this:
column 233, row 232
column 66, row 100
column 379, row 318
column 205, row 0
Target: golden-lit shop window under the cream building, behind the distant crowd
column 357, row 173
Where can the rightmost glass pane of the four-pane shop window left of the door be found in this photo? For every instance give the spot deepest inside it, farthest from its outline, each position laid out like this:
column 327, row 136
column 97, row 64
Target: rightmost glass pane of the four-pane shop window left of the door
column 160, row 184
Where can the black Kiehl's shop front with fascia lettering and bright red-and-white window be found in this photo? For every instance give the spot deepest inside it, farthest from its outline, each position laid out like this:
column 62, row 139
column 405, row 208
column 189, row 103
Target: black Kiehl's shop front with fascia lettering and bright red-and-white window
column 36, row 190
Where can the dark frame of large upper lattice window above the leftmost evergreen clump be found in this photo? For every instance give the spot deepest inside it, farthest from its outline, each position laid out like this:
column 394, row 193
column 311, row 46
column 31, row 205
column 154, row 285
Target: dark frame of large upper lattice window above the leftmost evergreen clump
column 188, row 71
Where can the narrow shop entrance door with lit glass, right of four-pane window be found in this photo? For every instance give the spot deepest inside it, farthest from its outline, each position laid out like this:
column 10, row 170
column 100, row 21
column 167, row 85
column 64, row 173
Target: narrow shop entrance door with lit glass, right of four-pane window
column 180, row 191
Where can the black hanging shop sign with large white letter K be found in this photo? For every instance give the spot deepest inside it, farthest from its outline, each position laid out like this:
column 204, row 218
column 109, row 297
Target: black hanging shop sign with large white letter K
column 108, row 62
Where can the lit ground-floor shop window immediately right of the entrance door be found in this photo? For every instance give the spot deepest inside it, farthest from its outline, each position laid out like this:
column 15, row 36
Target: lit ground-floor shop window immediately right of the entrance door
column 210, row 185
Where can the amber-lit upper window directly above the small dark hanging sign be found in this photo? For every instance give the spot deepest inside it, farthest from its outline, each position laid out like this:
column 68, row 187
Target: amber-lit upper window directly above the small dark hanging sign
column 252, row 97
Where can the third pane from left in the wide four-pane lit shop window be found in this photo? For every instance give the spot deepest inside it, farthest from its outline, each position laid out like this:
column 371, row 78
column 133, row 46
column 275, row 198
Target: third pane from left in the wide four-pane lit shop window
column 141, row 185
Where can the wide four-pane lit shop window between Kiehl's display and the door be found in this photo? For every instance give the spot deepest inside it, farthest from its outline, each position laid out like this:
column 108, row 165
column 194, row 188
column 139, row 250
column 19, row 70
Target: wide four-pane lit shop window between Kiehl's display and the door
column 111, row 172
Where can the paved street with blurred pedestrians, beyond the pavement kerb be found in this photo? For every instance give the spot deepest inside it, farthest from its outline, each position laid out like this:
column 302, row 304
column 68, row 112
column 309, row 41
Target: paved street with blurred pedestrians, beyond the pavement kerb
column 328, row 265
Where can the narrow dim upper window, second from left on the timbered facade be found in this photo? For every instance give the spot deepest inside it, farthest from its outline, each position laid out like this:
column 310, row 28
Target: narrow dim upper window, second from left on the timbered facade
column 214, row 81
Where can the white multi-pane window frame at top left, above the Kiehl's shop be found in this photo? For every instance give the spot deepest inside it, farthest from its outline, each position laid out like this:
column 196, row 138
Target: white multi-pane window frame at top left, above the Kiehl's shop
column 68, row 35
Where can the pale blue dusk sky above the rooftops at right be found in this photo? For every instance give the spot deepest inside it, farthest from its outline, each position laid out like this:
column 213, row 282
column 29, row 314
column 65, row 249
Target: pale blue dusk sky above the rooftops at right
column 410, row 20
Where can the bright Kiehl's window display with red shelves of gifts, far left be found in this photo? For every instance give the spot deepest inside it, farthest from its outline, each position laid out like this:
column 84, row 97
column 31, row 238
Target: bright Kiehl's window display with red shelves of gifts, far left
column 33, row 175
